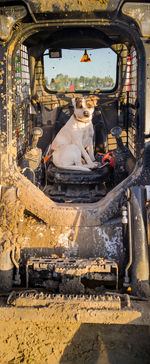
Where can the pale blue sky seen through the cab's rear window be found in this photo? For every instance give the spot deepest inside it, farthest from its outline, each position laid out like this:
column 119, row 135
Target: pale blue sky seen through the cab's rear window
column 103, row 63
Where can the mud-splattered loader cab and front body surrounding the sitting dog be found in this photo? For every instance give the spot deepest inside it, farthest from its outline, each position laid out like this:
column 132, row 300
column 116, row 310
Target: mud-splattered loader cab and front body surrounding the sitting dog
column 50, row 54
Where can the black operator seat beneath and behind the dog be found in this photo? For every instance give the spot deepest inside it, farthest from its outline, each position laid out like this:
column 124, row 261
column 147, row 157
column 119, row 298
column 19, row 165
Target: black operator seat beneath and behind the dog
column 78, row 186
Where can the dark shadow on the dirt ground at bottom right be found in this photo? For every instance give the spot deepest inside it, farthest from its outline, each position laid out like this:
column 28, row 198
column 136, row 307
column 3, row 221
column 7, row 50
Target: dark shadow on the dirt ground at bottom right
column 104, row 344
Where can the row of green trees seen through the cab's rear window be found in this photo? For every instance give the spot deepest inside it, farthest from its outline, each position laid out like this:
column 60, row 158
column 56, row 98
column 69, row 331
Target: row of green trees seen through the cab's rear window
column 66, row 83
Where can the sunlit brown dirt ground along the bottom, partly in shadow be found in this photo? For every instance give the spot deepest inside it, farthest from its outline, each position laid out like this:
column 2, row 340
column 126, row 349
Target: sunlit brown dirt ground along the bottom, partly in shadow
column 65, row 343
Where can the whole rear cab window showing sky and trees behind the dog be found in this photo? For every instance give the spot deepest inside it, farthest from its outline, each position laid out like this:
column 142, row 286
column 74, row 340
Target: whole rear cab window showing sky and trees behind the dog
column 69, row 73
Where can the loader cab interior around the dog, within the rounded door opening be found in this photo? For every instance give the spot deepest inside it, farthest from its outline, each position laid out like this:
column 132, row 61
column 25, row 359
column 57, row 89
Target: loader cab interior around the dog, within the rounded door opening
column 43, row 104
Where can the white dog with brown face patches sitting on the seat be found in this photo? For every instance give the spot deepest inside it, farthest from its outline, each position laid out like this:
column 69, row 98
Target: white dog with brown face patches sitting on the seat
column 75, row 140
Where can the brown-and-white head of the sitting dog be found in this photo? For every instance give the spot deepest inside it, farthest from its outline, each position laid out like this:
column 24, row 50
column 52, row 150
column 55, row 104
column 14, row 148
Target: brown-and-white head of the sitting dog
column 83, row 108
